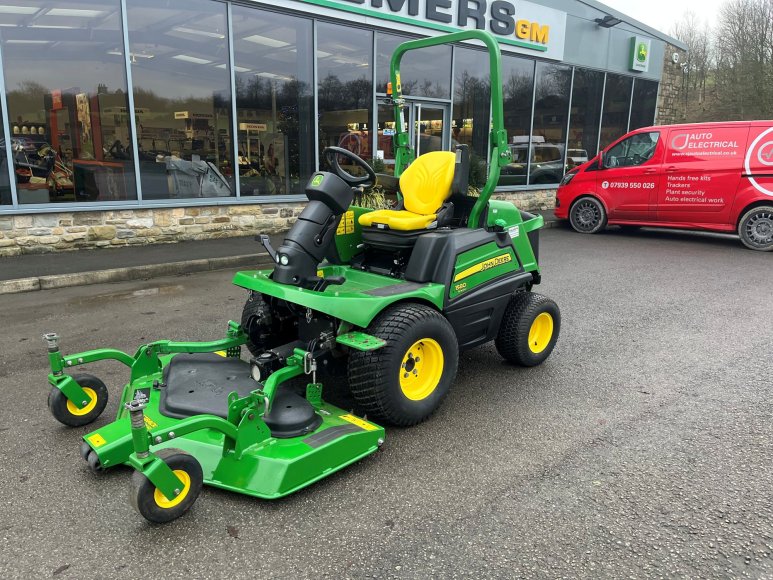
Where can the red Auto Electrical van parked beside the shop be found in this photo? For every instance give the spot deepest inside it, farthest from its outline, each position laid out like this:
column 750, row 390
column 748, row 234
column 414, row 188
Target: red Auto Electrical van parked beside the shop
column 708, row 176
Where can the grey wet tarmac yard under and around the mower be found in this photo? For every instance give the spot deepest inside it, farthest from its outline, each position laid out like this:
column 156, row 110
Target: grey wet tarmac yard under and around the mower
column 642, row 448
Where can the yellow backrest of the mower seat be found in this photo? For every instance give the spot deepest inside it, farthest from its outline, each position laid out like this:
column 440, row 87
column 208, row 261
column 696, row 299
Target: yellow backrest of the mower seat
column 426, row 183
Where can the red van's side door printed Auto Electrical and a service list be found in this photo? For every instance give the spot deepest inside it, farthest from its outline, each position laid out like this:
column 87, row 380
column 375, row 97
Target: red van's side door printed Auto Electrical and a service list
column 702, row 170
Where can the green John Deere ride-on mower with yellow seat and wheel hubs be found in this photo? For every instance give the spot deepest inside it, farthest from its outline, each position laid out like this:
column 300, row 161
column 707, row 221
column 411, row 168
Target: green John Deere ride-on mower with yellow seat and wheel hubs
column 379, row 302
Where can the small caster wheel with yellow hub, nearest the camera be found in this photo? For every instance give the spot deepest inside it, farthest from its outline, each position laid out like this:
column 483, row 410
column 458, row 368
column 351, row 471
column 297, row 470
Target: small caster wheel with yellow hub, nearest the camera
column 145, row 498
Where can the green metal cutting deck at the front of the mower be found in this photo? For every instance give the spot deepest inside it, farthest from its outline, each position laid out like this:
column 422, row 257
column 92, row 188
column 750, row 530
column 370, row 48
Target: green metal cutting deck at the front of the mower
column 269, row 469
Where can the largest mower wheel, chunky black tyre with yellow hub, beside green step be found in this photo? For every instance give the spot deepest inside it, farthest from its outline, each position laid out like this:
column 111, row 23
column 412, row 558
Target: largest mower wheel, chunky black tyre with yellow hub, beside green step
column 375, row 376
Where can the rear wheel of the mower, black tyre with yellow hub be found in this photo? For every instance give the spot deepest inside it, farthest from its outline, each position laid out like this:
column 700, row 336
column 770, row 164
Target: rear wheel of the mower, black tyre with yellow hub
column 513, row 340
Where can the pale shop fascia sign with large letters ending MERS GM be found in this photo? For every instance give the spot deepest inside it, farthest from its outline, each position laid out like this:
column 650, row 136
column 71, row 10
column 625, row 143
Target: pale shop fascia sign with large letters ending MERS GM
column 520, row 26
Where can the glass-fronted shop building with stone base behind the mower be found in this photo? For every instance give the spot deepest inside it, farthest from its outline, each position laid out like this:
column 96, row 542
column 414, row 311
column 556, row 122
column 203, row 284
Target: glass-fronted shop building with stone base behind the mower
column 143, row 121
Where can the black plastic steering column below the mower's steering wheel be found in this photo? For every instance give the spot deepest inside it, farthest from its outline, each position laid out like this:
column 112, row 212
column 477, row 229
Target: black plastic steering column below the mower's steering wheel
column 308, row 241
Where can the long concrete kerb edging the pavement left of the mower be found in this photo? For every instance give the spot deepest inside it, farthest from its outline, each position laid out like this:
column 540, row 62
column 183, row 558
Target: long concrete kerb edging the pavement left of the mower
column 131, row 273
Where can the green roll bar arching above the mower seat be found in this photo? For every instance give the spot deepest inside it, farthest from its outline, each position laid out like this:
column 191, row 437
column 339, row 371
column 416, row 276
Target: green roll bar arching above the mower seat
column 499, row 152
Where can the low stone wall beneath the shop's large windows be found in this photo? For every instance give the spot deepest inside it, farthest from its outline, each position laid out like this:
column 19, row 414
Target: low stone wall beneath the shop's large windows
column 41, row 233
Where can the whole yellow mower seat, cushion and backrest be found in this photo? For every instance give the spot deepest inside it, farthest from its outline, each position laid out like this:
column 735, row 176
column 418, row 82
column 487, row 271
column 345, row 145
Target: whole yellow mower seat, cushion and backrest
column 425, row 186
